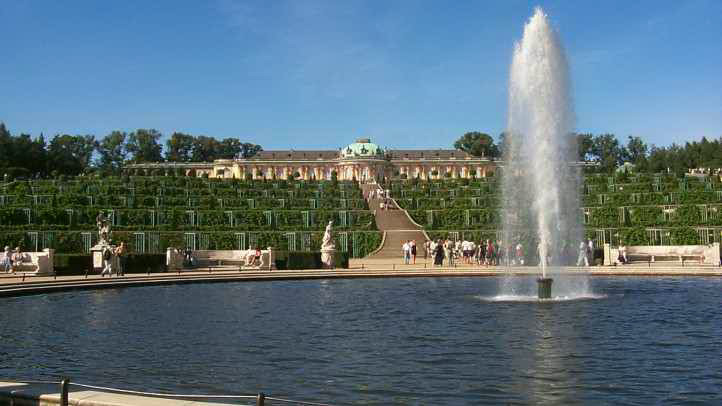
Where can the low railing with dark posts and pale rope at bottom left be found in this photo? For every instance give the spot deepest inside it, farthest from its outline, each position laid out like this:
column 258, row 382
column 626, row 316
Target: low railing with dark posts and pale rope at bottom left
column 259, row 399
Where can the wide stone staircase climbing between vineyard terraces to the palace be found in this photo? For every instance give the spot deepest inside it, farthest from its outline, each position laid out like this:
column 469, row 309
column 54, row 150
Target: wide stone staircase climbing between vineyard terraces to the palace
column 396, row 226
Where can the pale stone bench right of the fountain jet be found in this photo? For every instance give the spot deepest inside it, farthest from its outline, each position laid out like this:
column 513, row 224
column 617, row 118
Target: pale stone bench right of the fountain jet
column 703, row 254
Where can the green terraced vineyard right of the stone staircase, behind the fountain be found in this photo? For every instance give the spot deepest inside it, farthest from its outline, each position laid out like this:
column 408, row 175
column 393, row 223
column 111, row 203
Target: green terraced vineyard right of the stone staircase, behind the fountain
column 638, row 210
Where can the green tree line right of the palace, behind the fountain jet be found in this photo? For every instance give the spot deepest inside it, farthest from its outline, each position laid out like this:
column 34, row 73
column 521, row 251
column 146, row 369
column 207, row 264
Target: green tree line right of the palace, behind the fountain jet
column 608, row 153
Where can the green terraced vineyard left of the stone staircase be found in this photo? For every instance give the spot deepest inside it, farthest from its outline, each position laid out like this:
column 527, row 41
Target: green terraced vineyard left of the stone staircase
column 153, row 213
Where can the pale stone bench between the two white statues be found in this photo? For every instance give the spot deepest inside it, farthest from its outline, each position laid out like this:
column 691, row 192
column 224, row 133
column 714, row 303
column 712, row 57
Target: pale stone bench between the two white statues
column 220, row 258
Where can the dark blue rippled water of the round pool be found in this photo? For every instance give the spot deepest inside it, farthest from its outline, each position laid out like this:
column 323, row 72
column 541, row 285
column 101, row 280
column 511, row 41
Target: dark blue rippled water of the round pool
column 440, row 341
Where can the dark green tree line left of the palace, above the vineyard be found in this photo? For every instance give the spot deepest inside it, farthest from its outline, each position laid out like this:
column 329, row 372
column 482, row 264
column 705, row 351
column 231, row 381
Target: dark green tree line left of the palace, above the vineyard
column 65, row 154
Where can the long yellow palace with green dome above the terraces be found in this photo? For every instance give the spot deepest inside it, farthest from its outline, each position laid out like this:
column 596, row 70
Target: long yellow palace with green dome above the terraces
column 361, row 160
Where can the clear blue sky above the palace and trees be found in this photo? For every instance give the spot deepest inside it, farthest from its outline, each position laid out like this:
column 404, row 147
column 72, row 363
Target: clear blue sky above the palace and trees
column 318, row 74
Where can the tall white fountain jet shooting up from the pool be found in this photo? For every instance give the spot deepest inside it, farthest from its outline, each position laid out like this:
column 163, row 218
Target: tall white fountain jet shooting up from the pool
column 541, row 184
